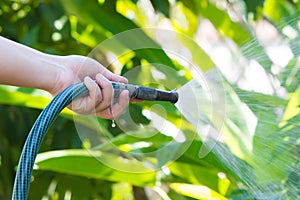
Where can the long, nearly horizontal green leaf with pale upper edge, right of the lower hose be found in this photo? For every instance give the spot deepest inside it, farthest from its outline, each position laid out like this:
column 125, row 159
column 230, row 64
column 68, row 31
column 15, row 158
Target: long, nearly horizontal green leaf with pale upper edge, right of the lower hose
column 88, row 164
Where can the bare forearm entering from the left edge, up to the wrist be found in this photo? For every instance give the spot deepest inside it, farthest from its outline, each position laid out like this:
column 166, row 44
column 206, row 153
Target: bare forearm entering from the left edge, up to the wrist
column 26, row 67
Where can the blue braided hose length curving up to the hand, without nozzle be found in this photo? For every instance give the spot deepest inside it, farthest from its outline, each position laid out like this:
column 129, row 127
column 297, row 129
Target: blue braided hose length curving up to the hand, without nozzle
column 36, row 135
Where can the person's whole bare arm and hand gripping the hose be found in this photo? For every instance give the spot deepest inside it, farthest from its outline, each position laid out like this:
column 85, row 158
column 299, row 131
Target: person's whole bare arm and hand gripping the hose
column 26, row 67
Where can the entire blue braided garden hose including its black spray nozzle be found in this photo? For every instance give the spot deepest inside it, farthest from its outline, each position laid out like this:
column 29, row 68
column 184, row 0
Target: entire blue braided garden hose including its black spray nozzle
column 47, row 116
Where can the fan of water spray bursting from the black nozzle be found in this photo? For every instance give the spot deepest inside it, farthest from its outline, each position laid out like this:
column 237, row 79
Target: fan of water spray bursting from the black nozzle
column 243, row 132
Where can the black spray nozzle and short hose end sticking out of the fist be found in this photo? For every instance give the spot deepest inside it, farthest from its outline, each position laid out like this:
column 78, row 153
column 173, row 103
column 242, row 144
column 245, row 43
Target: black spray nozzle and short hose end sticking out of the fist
column 144, row 93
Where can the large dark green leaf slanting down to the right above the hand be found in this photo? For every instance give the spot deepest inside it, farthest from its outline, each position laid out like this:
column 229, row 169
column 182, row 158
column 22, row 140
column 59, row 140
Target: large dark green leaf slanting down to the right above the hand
column 101, row 17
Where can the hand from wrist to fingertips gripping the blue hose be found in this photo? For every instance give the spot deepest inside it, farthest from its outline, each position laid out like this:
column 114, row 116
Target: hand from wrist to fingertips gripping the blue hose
column 76, row 69
